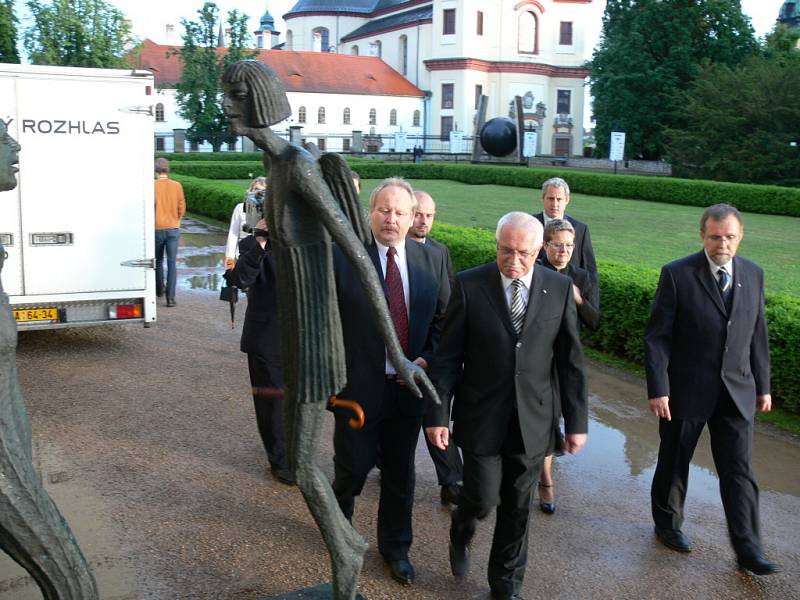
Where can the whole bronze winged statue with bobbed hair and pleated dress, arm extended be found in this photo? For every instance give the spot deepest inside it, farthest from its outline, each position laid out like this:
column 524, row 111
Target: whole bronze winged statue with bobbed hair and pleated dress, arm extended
column 309, row 202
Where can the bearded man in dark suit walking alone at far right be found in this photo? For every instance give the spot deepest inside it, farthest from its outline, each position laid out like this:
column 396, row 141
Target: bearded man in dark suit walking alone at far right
column 707, row 362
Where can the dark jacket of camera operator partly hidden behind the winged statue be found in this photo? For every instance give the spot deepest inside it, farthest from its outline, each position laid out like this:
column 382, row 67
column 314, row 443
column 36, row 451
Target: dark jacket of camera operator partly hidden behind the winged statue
column 255, row 270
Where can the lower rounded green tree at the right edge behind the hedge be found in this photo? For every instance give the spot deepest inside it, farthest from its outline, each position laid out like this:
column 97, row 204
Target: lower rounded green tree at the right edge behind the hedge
column 742, row 123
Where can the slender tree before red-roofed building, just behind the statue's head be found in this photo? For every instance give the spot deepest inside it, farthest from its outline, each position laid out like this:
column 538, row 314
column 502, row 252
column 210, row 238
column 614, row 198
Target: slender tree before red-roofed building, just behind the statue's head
column 198, row 92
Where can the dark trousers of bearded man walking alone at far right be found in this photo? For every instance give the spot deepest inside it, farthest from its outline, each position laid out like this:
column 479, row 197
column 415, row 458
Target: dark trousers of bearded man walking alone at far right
column 732, row 449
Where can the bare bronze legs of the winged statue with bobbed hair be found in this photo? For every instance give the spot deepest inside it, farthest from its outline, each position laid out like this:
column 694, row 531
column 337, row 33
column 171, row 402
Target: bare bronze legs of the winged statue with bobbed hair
column 345, row 546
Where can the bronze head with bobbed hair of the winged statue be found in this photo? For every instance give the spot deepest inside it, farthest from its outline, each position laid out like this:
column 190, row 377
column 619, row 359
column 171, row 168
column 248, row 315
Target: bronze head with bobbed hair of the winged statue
column 254, row 95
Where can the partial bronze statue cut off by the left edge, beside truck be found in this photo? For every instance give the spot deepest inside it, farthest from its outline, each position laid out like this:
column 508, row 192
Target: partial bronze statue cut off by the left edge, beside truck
column 32, row 530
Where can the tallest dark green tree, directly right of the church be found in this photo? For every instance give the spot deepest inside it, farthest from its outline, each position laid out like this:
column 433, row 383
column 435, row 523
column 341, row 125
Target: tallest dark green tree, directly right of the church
column 648, row 50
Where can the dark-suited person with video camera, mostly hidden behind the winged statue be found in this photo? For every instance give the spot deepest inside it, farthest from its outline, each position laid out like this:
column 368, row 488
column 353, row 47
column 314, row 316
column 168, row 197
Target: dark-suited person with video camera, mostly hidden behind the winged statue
column 255, row 270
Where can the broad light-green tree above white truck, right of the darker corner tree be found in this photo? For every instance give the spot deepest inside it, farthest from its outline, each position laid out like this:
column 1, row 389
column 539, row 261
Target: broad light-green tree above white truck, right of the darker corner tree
column 77, row 33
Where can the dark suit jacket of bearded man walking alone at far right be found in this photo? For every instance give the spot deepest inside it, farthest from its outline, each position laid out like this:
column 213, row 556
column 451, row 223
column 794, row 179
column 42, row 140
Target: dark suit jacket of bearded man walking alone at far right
column 693, row 346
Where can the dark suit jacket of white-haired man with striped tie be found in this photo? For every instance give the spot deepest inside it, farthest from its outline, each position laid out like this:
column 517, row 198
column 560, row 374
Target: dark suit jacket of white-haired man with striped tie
column 501, row 371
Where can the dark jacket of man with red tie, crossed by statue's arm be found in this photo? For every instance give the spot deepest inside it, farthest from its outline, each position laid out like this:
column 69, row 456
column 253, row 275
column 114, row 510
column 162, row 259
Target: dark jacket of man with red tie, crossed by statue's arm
column 365, row 352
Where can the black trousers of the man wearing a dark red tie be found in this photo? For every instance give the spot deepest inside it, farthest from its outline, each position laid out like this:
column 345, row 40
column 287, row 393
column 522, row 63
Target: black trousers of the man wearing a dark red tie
column 355, row 454
